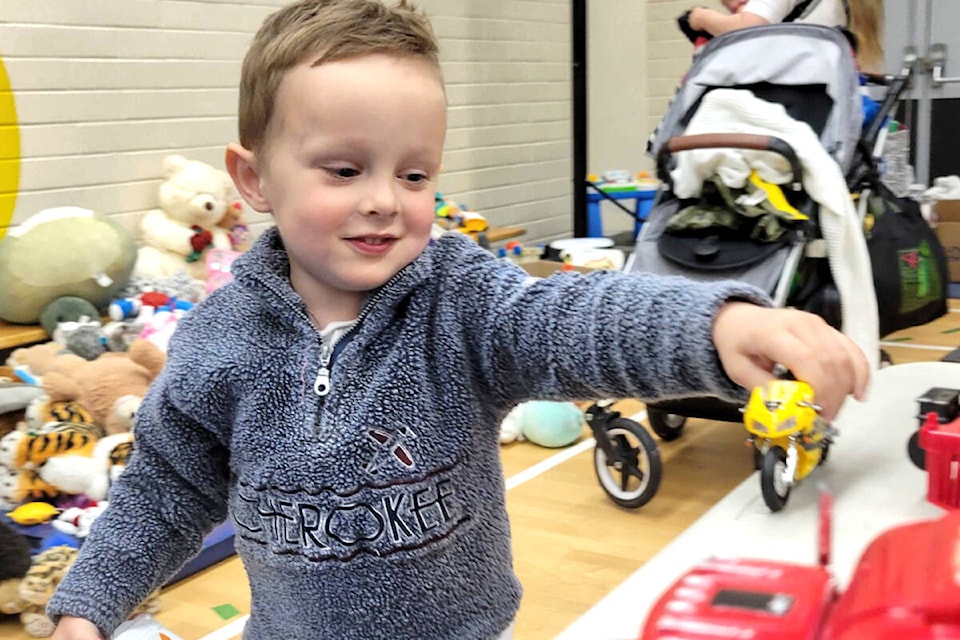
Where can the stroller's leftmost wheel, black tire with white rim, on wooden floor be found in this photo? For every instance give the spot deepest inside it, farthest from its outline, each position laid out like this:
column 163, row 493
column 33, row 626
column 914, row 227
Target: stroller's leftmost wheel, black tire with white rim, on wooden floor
column 632, row 477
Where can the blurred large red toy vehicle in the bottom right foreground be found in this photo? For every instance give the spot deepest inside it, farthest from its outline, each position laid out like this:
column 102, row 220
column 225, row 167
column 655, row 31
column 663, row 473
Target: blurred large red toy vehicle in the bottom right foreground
column 906, row 585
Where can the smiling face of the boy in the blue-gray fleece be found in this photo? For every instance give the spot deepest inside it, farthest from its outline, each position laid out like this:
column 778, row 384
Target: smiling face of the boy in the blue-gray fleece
column 349, row 170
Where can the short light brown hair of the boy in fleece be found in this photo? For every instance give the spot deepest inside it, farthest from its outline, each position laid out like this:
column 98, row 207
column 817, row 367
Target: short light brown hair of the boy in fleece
column 322, row 31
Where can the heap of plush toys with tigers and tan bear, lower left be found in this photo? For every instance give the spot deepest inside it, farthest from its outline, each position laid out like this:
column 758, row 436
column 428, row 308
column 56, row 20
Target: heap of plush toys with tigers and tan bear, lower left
column 67, row 436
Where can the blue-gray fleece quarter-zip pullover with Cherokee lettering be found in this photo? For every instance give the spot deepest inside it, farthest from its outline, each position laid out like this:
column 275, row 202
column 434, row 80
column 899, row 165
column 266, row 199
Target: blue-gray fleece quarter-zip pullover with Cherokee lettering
column 376, row 510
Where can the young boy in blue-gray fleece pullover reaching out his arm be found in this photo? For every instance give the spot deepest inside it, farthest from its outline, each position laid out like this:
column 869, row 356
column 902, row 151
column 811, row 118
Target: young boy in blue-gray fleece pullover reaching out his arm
column 340, row 401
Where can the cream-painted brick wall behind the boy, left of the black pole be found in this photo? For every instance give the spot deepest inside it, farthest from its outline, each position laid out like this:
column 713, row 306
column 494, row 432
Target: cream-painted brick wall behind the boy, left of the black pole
column 103, row 94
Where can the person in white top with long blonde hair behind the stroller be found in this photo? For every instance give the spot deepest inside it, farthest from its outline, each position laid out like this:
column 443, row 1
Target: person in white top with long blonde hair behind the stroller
column 864, row 19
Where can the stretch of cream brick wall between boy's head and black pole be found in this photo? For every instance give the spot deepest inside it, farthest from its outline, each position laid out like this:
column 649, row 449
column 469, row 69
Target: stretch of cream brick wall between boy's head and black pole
column 509, row 153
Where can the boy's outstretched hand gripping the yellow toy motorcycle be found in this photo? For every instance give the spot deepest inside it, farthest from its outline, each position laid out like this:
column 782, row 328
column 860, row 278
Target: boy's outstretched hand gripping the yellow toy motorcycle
column 751, row 339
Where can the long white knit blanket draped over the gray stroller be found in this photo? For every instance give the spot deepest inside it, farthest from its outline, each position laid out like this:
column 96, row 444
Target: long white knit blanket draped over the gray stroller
column 739, row 111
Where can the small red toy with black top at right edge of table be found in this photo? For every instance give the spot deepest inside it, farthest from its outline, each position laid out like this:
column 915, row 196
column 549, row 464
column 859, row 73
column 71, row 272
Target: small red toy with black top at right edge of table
column 935, row 446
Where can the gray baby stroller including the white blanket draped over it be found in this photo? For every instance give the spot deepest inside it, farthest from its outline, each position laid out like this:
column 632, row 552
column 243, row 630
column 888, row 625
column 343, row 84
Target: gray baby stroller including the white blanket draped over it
column 776, row 109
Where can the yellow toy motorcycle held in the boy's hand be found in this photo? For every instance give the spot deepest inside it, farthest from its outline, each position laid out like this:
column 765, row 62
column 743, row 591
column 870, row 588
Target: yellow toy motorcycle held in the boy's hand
column 788, row 436
